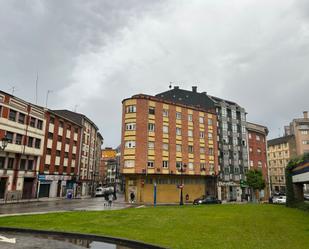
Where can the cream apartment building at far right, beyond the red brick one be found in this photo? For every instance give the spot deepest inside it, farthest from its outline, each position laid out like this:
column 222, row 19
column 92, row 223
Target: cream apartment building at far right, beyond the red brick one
column 280, row 151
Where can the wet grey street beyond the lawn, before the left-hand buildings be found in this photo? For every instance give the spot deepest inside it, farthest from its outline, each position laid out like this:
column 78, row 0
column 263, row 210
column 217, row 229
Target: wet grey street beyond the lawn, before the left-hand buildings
column 62, row 205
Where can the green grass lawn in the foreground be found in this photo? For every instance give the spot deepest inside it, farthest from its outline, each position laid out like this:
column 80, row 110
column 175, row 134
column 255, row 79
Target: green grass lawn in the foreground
column 218, row 226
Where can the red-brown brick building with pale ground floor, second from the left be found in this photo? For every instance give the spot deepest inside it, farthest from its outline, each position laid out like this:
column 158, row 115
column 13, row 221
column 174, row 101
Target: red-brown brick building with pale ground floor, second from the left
column 58, row 170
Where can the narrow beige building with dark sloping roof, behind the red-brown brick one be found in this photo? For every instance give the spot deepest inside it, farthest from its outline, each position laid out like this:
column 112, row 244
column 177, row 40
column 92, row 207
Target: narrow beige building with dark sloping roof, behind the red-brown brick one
column 91, row 142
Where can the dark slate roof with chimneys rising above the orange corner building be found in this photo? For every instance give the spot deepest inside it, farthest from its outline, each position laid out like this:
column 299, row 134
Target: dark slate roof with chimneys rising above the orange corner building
column 188, row 98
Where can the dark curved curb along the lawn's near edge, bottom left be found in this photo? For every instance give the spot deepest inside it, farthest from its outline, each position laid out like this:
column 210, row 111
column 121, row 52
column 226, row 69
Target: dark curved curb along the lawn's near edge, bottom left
column 106, row 239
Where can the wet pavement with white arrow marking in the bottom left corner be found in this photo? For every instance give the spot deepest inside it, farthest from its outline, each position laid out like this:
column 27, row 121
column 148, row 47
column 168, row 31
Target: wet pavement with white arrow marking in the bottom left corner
column 28, row 241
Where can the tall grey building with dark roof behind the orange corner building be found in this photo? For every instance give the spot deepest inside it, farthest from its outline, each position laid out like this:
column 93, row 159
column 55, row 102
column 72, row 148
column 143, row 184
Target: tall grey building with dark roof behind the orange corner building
column 232, row 139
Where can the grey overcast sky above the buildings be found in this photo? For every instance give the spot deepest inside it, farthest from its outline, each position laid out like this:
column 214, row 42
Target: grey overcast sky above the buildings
column 93, row 54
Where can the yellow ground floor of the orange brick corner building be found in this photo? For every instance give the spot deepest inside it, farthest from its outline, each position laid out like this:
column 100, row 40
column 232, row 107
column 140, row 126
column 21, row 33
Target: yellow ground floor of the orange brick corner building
column 167, row 188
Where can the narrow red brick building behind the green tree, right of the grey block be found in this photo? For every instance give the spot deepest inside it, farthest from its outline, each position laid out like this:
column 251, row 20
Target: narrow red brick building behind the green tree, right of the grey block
column 257, row 143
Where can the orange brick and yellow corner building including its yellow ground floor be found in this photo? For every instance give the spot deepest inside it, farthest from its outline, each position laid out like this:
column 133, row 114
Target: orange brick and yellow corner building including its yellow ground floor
column 168, row 145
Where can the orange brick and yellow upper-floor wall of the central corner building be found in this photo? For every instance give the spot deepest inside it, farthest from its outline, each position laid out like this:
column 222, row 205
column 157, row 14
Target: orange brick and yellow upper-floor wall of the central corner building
column 171, row 147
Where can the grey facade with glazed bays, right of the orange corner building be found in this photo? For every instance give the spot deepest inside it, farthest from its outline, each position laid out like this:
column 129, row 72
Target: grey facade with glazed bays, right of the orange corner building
column 233, row 147
